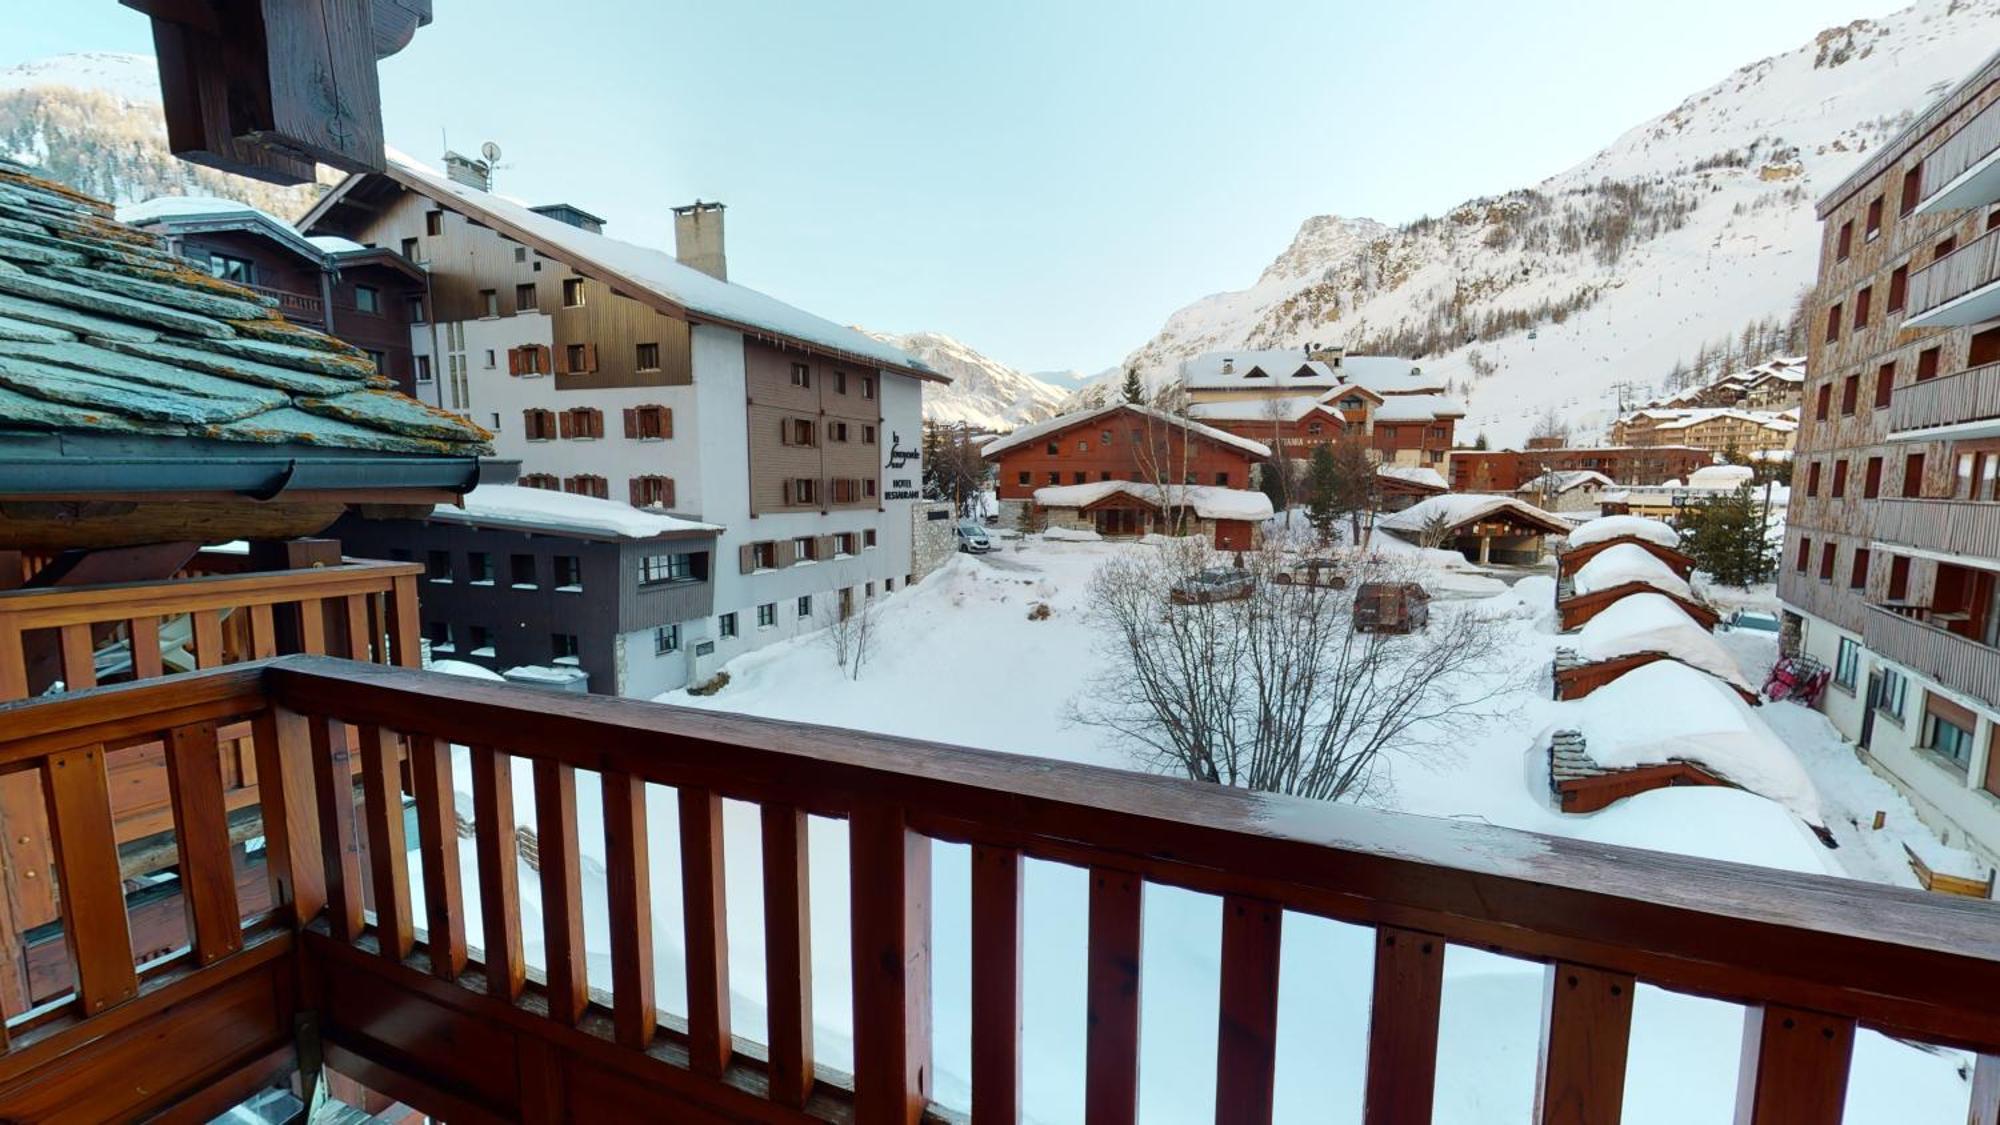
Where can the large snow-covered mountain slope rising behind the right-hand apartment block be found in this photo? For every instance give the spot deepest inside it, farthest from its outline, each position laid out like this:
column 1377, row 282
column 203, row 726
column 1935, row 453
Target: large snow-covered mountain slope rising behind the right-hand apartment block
column 1683, row 233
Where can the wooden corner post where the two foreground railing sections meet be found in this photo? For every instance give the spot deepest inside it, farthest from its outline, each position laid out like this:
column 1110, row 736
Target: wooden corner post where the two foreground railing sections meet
column 289, row 802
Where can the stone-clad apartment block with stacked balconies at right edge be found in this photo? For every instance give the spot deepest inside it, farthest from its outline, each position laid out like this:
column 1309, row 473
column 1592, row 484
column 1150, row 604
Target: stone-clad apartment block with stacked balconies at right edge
column 1893, row 551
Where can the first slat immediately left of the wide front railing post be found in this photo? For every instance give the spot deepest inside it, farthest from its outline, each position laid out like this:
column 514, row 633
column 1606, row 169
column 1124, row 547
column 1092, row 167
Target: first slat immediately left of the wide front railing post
column 789, row 954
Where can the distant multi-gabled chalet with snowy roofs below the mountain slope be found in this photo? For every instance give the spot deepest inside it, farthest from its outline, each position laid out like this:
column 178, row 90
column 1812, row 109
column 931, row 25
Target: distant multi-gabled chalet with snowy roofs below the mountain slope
column 1407, row 415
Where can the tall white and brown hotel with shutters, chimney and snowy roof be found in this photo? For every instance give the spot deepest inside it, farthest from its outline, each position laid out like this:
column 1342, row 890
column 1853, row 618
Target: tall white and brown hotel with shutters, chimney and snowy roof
column 629, row 373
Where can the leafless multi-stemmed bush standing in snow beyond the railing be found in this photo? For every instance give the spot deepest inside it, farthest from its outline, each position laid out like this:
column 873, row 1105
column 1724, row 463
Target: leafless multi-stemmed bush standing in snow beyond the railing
column 1277, row 690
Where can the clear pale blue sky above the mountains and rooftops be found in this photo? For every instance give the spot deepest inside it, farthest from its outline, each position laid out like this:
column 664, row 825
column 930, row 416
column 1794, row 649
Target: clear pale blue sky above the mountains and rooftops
column 1045, row 181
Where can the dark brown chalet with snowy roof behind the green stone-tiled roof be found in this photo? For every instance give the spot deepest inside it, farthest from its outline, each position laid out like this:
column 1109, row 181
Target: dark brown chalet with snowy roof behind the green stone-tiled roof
column 363, row 295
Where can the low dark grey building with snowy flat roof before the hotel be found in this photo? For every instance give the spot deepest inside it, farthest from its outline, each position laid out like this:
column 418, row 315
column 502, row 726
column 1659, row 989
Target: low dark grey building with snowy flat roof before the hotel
column 557, row 590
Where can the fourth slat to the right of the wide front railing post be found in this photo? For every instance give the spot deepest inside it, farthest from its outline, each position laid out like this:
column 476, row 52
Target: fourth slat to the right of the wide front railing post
column 1403, row 1028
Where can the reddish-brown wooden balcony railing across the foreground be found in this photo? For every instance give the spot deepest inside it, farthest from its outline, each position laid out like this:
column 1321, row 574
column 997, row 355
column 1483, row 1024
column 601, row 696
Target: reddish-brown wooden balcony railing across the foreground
column 399, row 998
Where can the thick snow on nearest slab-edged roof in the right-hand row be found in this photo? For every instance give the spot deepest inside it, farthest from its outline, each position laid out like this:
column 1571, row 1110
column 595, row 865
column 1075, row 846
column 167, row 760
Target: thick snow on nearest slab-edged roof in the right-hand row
column 1669, row 712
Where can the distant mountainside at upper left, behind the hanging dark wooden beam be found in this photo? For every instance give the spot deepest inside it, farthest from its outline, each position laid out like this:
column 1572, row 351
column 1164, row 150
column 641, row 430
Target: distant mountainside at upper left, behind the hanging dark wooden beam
column 93, row 121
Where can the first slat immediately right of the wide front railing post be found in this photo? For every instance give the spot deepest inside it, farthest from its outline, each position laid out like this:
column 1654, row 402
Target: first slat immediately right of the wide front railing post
column 997, row 960
